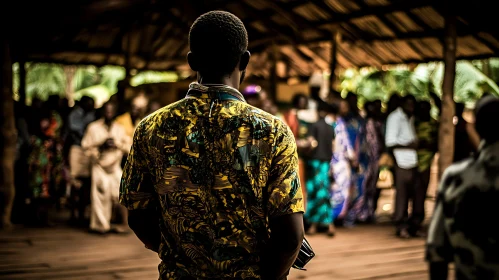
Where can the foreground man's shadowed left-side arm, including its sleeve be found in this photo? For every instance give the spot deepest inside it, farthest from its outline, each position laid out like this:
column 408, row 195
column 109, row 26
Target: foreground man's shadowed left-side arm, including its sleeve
column 137, row 194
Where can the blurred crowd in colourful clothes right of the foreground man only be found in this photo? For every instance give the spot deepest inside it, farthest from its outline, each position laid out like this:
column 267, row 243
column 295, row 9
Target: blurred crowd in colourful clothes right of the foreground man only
column 349, row 153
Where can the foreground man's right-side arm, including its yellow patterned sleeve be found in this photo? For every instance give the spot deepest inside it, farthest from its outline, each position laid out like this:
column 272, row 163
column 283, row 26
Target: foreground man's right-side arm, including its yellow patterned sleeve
column 285, row 209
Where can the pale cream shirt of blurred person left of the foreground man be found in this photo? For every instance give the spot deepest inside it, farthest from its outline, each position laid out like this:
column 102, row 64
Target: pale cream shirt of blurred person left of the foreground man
column 97, row 133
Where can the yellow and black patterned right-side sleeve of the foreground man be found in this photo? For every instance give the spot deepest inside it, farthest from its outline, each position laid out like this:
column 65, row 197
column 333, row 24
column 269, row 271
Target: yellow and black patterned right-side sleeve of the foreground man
column 285, row 194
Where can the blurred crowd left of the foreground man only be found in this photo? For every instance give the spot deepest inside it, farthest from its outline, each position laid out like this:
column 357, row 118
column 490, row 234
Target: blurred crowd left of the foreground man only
column 71, row 158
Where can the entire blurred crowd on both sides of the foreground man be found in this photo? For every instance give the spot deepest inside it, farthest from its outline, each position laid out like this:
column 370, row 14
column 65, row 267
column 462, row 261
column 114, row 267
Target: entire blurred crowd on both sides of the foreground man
column 71, row 157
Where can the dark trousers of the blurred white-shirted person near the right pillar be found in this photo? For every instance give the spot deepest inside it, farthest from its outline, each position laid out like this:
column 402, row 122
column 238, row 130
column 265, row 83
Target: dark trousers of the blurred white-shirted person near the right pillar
column 411, row 185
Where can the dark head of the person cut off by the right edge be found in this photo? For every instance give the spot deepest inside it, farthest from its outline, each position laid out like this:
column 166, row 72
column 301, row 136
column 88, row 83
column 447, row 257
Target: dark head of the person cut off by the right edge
column 486, row 115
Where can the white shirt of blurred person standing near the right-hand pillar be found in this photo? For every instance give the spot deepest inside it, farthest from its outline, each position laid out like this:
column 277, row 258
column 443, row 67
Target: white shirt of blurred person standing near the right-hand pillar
column 400, row 131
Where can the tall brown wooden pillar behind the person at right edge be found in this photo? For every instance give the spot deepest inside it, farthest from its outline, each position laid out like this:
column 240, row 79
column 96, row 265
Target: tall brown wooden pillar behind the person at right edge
column 447, row 129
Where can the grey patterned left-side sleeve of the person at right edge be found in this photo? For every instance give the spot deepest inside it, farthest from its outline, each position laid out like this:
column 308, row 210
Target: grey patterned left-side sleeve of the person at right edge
column 438, row 248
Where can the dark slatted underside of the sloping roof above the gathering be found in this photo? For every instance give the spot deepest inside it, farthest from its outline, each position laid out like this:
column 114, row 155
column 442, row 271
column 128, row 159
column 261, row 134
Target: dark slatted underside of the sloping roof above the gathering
column 154, row 32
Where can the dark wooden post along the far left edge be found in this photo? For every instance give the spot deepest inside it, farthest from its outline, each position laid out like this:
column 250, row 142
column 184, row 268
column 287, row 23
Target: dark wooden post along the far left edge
column 7, row 139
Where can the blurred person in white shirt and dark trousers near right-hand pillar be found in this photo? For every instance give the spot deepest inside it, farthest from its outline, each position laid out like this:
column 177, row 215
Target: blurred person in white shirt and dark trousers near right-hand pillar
column 401, row 138
